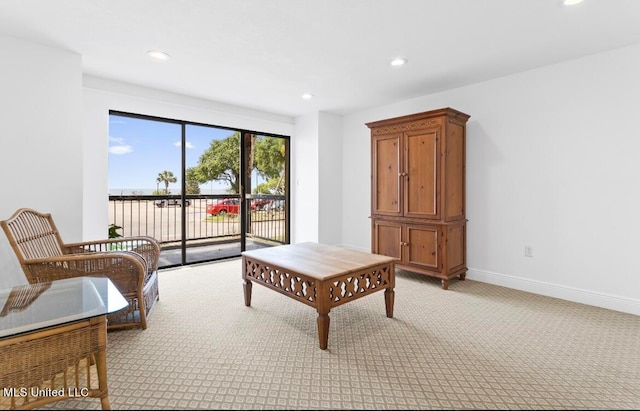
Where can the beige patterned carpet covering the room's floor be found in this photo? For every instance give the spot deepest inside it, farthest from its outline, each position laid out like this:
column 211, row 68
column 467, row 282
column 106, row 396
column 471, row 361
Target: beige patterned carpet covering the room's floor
column 475, row 346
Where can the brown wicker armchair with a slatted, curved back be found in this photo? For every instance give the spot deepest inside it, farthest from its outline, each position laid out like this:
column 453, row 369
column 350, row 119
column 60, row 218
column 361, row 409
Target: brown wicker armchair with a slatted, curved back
column 132, row 266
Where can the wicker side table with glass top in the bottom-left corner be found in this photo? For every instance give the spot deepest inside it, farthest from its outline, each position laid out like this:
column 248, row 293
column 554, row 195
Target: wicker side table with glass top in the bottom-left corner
column 47, row 330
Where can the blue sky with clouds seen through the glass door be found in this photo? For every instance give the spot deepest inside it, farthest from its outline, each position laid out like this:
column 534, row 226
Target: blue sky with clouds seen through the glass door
column 140, row 149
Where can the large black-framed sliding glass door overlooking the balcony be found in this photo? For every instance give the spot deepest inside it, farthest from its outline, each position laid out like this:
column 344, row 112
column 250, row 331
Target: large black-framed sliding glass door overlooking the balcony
column 205, row 192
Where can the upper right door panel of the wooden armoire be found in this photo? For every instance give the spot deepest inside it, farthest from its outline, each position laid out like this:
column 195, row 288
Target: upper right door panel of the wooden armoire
column 421, row 168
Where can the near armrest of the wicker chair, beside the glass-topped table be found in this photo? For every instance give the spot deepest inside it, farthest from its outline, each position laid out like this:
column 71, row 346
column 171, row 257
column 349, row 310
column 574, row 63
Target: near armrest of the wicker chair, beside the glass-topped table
column 126, row 269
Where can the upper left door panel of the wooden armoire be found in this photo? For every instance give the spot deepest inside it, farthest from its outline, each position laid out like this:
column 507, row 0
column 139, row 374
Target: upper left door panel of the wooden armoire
column 386, row 175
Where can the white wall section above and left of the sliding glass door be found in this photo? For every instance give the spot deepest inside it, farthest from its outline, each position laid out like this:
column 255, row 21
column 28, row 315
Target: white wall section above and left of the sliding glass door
column 102, row 95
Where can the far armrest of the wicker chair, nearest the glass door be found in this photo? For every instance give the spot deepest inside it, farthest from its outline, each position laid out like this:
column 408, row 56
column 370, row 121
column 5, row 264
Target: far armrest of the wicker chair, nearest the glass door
column 146, row 246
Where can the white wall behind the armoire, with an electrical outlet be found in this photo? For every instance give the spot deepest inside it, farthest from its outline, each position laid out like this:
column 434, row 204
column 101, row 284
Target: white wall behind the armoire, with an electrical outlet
column 552, row 162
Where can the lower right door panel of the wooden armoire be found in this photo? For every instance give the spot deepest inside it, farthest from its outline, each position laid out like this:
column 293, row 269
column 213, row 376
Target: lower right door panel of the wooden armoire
column 422, row 246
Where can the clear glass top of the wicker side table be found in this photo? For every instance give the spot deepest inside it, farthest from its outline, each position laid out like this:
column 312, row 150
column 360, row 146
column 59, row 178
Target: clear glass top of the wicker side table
column 33, row 307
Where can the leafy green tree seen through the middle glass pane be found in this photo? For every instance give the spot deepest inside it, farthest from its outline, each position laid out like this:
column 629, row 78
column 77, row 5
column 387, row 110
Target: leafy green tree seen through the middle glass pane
column 221, row 161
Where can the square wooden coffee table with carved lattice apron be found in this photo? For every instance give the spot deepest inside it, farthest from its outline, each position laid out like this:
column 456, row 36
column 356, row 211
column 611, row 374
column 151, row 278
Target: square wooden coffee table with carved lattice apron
column 320, row 276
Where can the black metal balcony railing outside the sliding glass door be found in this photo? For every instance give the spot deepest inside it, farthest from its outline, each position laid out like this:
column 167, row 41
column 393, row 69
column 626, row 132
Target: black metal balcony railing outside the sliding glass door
column 161, row 217
